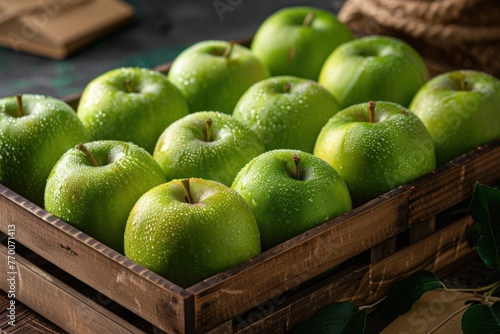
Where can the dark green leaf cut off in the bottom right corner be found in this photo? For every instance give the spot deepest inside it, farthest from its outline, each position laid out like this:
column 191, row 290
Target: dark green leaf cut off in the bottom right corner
column 481, row 318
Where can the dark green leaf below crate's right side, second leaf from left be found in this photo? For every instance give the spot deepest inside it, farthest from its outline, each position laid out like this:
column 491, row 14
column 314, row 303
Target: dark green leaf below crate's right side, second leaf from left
column 403, row 294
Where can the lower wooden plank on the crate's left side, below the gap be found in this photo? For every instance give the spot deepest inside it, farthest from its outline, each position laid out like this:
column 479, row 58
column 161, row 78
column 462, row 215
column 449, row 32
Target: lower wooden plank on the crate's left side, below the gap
column 64, row 306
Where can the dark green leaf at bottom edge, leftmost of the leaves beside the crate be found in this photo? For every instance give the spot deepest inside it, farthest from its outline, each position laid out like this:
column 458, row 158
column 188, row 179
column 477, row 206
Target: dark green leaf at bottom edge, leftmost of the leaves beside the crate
column 336, row 318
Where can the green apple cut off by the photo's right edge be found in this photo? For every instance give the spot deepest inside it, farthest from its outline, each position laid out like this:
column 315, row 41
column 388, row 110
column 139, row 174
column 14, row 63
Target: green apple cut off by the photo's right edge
column 460, row 111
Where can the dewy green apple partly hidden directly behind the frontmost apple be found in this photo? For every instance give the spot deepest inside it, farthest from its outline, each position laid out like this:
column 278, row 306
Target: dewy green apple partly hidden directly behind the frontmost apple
column 208, row 145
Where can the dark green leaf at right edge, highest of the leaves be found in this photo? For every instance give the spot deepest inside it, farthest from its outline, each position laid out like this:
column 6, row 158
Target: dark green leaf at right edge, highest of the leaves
column 485, row 232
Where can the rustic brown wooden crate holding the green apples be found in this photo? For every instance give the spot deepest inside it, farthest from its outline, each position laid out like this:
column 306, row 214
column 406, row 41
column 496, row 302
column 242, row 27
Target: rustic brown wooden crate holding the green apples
column 377, row 243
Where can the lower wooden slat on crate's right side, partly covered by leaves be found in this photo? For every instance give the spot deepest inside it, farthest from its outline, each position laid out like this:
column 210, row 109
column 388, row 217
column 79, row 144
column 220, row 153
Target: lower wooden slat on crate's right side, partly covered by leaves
column 364, row 284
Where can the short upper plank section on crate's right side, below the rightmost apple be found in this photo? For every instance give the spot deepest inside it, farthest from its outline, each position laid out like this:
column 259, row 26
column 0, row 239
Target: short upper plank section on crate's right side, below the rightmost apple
column 453, row 182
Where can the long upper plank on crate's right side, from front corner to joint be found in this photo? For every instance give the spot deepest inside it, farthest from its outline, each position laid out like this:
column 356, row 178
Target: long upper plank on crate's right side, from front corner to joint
column 299, row 259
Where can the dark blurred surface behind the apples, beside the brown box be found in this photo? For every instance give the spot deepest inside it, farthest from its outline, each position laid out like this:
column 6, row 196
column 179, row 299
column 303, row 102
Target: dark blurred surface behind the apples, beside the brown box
column 161, row 29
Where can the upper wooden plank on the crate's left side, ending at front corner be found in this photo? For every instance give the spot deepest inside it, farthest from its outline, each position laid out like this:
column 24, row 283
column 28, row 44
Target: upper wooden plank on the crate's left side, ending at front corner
column 155, row 299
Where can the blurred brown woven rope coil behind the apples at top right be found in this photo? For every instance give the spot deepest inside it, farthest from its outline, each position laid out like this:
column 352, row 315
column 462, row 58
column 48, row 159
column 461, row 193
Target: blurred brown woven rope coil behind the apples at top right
column 464, row 33
